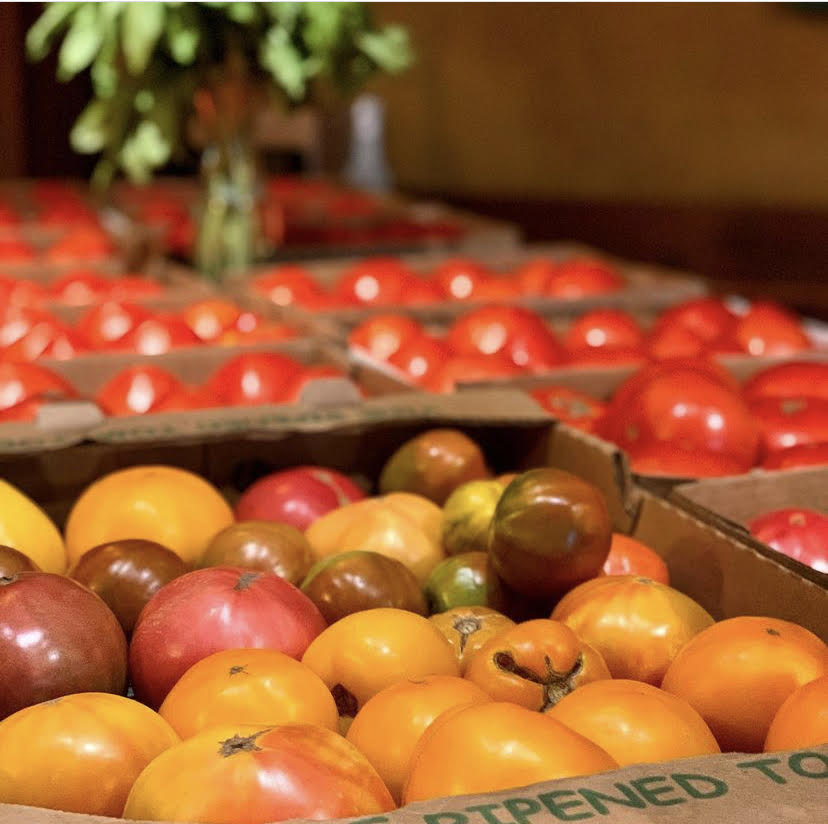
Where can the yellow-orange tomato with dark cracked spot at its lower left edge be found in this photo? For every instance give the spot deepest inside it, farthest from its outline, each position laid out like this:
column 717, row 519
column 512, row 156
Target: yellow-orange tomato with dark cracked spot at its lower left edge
column 369, row 650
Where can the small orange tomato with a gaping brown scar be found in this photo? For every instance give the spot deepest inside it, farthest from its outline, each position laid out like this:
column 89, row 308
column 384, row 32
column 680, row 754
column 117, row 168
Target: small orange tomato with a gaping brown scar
column 535, row 664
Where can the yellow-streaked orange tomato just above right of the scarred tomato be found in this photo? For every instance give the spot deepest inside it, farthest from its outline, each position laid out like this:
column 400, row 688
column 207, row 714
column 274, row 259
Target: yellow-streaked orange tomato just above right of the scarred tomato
column 637, row 624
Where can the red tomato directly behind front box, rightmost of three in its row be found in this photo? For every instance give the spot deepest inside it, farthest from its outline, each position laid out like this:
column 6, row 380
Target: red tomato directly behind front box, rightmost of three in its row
column 254, row 378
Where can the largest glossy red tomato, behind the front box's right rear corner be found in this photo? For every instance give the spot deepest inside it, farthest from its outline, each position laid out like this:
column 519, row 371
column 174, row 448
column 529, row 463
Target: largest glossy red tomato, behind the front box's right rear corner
column 685, row 407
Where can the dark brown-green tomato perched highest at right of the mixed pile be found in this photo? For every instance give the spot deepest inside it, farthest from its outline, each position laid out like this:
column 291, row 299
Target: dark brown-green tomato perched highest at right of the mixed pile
column 550, row 531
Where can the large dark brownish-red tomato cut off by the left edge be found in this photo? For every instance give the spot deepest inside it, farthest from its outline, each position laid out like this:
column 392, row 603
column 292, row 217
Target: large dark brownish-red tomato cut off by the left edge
column 47, row 644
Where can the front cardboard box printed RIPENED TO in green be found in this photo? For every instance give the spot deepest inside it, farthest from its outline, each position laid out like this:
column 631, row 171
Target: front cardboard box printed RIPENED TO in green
column 728, row 577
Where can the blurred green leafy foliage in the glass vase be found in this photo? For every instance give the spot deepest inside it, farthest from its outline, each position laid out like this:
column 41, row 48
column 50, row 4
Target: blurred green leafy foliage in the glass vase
column 148, row 62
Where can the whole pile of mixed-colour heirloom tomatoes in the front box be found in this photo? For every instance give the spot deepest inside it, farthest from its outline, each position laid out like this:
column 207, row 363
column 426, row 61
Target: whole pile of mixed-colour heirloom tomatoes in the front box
column 309, row 651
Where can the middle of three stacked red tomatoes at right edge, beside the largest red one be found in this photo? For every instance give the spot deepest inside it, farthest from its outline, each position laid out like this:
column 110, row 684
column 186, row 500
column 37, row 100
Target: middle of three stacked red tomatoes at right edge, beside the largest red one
column 786, row 422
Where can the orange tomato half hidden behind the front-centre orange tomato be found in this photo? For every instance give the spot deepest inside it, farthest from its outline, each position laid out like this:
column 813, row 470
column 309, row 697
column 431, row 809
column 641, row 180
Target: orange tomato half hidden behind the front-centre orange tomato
column 386, row 730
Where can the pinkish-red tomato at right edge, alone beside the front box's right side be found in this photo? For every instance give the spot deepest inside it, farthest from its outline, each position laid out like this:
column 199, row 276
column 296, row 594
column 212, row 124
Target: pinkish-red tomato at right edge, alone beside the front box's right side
column 801, row 534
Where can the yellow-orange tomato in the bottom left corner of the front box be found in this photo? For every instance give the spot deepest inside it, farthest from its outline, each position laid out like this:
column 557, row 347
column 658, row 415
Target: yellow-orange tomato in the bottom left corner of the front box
column 79, row 753
